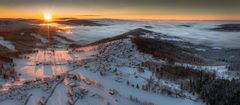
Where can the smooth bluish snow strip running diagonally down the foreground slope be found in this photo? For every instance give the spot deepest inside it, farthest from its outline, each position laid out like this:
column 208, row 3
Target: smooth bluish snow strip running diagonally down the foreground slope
column 142, row 95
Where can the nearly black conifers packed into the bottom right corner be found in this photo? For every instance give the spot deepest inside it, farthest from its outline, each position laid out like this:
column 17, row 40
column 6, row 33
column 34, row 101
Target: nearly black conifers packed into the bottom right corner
column 217, row 91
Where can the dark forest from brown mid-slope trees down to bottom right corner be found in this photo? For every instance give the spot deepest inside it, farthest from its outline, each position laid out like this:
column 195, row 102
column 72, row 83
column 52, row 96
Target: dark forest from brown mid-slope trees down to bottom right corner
column 211, row 90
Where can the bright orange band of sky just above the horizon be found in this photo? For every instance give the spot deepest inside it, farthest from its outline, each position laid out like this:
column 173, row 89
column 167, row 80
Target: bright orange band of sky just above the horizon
column 39, row 15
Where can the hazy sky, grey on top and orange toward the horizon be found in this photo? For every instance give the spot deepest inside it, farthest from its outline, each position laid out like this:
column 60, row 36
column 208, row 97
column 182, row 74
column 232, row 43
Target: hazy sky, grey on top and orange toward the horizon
column 127, row 9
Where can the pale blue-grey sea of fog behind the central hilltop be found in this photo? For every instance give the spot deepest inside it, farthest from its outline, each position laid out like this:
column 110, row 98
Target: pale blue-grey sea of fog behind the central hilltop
column 197, row 33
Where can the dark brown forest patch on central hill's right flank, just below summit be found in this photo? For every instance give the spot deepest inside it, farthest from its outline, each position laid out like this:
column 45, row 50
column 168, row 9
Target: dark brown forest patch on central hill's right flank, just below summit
column 165, row 50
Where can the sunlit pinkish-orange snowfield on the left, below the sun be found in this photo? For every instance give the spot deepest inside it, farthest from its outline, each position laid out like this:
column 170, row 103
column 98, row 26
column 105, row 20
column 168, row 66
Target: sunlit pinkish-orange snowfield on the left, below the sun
column 47, row 63
